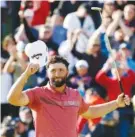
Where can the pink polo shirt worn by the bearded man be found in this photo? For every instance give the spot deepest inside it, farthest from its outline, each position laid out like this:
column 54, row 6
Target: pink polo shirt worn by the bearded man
column 55, row 114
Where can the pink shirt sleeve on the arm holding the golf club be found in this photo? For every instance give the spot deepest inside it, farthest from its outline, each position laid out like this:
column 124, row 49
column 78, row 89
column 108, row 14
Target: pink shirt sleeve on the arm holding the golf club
column 83, row 107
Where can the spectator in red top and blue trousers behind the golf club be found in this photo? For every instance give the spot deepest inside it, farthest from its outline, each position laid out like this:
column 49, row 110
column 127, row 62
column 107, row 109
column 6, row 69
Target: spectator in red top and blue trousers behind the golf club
column 112, row 87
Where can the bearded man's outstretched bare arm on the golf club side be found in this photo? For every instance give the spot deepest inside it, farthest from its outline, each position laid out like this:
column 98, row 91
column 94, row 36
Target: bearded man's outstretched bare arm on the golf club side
column 102, row 109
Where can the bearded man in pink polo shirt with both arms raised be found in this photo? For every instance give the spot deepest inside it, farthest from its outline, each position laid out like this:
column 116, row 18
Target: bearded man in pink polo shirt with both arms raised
column 55, row 107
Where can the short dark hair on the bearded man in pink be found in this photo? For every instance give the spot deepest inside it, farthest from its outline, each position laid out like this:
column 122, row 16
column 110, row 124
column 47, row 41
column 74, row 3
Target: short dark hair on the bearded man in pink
column 57, row 59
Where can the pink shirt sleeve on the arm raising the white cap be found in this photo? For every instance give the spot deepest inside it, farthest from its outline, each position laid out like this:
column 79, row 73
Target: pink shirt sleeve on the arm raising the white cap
column 33, row 95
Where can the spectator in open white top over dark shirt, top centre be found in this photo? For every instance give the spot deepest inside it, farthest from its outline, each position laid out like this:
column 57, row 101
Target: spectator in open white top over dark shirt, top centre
column 82, row 22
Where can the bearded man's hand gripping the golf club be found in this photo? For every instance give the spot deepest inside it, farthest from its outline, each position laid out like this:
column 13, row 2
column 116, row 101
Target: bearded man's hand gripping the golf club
column 123, row 100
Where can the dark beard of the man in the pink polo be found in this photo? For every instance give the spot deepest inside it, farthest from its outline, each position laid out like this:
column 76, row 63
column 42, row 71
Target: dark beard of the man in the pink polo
column 58, row 83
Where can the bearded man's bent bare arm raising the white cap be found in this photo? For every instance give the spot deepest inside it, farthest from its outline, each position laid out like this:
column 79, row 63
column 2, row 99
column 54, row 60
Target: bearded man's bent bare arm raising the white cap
column 16, row 96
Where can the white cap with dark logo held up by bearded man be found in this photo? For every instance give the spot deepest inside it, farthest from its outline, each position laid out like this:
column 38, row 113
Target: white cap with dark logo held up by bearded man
column 37, row 52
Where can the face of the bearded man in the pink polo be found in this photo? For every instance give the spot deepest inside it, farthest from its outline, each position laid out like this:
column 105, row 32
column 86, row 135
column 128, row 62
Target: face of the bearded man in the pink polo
column 57, row 74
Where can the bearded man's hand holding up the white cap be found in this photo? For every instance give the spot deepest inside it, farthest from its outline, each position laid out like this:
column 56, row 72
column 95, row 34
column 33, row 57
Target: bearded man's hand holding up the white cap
column 31, row 69
